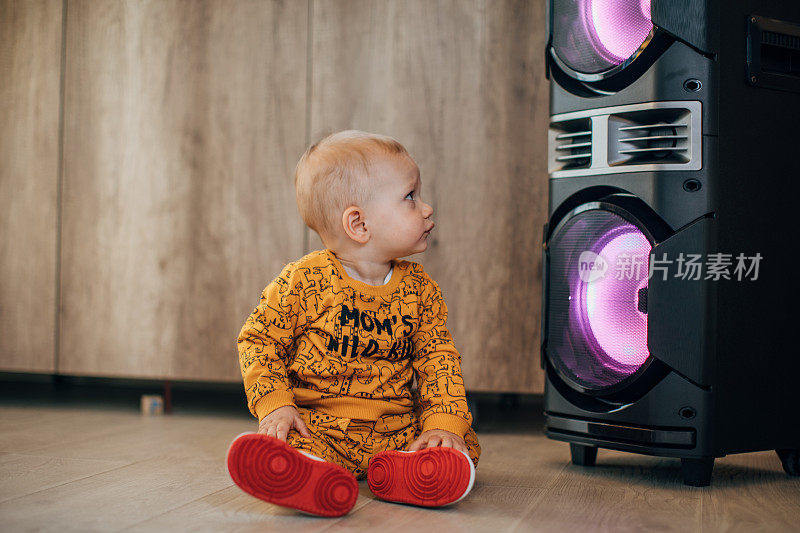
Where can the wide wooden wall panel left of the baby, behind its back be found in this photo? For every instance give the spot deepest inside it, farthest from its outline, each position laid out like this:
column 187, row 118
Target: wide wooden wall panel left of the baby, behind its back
column 183, row 122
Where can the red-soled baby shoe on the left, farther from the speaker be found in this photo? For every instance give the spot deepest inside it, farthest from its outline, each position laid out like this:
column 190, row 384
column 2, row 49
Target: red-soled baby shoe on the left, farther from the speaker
column 273, row 471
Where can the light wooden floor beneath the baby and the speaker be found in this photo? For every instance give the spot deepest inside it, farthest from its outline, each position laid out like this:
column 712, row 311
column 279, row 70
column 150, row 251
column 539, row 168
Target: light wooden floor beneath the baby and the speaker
column 95, row 468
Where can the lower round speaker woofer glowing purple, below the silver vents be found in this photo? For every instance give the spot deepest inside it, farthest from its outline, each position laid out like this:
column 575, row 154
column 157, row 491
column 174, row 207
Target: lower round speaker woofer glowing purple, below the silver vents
column 597, row 298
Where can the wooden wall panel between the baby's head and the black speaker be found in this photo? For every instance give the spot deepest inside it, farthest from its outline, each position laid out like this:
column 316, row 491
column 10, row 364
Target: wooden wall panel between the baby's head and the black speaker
column 461, row 84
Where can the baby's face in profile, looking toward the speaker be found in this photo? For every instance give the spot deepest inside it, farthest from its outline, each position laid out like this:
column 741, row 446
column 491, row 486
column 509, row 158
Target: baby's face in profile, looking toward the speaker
column 398, row 220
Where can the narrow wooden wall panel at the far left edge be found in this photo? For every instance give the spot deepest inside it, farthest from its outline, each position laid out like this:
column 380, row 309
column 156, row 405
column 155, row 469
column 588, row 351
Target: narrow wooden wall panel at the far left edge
column 30, row 70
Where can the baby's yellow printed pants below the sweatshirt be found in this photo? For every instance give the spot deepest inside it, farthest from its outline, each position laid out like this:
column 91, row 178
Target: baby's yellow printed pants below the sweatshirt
column 352, row 443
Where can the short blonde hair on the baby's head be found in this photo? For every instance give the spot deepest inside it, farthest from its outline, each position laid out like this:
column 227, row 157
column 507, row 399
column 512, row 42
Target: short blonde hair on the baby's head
column 332, row 175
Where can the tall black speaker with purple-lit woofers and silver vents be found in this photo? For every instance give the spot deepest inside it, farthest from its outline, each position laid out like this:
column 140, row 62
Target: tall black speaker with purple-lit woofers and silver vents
column 670, row 276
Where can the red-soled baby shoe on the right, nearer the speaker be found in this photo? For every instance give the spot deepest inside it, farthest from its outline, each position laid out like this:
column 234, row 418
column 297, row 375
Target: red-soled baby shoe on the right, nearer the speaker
column 432, row 477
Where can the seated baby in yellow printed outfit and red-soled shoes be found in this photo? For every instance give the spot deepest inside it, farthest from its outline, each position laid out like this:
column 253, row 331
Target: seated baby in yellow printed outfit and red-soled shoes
column 330, row 355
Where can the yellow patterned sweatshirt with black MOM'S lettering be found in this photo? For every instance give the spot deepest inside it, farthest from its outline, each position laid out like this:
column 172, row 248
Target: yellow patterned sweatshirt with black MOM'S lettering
column 322, row 340
